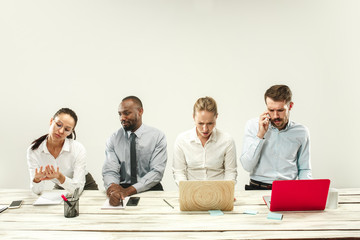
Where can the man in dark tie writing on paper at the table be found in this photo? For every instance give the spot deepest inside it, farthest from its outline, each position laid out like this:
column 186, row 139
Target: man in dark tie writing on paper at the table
column 135, row 155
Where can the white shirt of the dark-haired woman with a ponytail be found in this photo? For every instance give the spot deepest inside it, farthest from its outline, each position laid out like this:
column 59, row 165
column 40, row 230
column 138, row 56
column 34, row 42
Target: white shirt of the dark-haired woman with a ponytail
column 71, row 162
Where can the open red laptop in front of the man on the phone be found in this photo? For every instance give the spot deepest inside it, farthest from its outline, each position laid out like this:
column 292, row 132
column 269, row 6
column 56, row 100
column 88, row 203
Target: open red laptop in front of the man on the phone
column 298, row 195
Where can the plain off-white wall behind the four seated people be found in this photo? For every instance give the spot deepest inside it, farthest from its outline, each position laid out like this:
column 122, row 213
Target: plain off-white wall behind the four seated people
column 88, row 55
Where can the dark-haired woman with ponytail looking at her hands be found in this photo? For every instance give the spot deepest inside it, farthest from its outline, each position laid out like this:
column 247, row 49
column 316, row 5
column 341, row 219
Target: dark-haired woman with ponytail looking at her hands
column 58, row 157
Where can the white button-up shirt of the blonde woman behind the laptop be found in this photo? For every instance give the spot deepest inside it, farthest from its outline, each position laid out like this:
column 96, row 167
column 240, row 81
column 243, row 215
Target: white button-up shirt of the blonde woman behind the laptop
column 216, row 160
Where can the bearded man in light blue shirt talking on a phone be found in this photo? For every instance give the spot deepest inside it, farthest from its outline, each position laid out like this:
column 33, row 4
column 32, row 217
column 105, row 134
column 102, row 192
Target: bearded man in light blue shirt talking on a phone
column 274, row 147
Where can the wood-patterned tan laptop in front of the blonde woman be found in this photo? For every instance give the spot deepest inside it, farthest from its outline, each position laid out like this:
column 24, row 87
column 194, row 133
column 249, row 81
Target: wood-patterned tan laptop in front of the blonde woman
column 206, row 195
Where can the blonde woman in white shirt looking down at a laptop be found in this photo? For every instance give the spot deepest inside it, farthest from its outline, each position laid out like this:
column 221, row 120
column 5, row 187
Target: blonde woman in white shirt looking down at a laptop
column 204, row 152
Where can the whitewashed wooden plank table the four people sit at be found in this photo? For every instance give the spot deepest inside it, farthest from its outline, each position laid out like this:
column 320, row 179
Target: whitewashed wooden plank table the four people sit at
column 153, row 218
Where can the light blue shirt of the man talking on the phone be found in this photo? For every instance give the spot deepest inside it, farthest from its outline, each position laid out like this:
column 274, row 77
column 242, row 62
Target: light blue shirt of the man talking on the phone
column 280, row 155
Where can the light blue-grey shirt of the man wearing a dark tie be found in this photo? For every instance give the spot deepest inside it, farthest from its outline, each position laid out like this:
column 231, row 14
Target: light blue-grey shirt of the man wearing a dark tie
column 151, row 158
